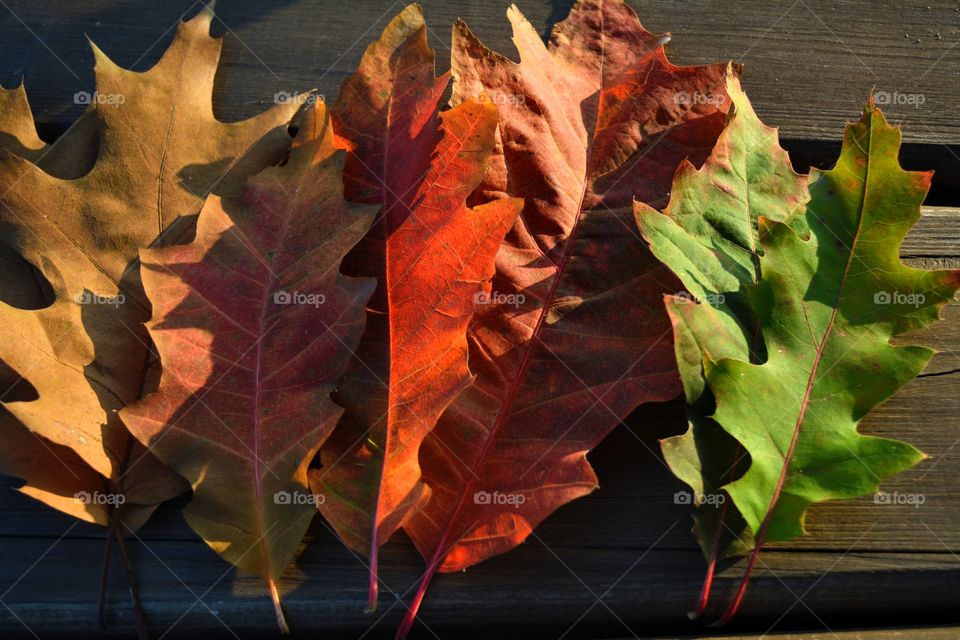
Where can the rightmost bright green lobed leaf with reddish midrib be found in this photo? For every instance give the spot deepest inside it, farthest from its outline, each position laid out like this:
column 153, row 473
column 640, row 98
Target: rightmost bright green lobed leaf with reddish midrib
column 827, row 304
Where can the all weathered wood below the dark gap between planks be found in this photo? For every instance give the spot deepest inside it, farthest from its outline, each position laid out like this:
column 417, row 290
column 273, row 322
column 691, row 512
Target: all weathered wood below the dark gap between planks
column 864, row 564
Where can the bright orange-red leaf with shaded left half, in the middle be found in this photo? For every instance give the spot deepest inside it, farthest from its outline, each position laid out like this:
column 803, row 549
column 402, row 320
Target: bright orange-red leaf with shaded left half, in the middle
column 433, row 258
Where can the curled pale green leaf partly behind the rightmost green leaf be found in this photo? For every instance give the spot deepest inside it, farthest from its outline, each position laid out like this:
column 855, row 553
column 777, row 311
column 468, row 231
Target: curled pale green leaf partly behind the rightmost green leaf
column 708, row 235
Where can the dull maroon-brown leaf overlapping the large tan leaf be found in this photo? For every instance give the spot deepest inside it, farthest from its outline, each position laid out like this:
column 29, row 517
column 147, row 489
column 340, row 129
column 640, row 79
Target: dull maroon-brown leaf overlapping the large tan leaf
column 254, row 324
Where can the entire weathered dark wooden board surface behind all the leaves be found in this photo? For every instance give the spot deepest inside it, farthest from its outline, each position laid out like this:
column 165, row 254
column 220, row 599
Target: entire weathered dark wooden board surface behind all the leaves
column 865, row 564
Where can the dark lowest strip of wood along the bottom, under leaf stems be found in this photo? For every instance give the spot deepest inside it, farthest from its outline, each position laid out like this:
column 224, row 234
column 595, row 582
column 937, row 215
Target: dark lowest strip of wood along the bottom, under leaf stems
column 539, row 590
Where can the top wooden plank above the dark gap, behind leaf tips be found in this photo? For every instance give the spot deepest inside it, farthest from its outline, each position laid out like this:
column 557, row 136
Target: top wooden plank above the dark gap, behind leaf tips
column 809, row 66
